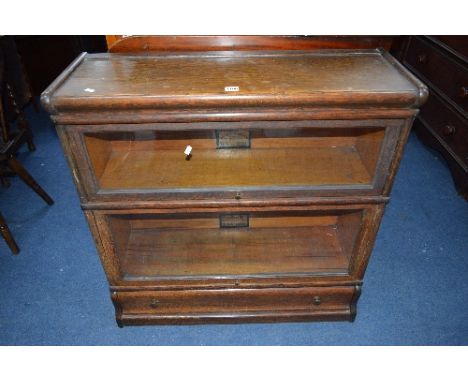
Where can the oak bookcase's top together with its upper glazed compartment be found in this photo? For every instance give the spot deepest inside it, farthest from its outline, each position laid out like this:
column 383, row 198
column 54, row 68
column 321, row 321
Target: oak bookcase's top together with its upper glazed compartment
column 261, row 125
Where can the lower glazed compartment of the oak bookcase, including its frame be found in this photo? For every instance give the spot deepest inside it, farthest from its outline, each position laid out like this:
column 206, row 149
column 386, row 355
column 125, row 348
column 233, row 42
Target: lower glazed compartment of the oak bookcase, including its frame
column 142, row 247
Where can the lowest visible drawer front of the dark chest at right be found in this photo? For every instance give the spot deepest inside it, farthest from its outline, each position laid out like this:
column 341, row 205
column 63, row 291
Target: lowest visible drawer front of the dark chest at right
column 447, row 125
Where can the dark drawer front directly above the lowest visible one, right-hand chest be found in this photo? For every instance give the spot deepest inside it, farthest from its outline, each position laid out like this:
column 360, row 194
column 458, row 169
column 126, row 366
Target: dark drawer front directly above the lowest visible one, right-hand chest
column 449, row 76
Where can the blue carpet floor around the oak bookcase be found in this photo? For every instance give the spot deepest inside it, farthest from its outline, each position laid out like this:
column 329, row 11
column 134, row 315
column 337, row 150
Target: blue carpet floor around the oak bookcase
column 55, row 292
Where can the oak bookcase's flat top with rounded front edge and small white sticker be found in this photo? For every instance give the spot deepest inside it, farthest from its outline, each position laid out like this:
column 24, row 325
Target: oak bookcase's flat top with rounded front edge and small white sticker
column 327, row 78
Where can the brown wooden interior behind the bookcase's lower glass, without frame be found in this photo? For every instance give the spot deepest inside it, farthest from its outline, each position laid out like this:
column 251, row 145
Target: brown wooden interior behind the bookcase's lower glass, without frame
column 188, row 246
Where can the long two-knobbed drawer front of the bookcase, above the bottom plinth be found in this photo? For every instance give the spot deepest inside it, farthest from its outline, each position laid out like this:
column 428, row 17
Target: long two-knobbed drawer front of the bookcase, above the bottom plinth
column 233, row 302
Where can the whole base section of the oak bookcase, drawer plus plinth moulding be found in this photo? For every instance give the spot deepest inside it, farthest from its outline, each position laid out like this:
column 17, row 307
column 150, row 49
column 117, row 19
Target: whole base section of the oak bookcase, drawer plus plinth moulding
column 231, row 305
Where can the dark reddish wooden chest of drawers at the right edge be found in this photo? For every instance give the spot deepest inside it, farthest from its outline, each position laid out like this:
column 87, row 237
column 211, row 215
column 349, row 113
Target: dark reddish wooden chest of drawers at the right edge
column 442, row 63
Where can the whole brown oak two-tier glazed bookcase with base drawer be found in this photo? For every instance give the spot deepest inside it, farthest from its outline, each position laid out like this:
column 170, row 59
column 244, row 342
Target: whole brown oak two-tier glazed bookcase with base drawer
column 273, row 215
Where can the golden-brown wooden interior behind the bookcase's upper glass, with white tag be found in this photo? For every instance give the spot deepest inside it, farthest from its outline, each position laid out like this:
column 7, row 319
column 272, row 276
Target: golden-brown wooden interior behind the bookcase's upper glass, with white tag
column 123, row 162
